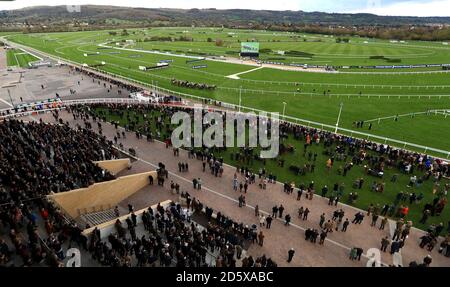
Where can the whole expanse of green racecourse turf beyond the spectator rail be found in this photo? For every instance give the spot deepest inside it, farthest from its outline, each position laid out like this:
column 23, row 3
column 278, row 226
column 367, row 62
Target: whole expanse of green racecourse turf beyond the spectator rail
column 309, row 96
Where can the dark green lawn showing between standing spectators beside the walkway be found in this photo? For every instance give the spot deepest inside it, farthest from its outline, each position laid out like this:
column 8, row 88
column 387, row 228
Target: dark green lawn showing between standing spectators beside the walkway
column 320, row 176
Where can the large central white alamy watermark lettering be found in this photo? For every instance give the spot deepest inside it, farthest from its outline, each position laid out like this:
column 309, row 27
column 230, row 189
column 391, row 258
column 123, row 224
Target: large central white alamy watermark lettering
column 229, row 129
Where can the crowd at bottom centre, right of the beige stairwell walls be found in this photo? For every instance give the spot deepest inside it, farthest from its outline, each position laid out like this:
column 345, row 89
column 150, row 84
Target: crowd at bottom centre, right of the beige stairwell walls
column 171, row 238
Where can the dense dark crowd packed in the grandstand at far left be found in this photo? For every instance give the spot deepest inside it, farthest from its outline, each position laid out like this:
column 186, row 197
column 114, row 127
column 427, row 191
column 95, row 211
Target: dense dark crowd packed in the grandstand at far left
column 38, row 159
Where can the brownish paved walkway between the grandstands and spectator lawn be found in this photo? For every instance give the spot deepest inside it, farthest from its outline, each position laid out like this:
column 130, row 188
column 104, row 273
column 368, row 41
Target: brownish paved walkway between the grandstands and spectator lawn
column 218, row 194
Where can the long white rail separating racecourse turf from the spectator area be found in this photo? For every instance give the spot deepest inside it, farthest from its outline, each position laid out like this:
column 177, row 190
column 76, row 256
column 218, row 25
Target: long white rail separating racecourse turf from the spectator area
column 321, row 126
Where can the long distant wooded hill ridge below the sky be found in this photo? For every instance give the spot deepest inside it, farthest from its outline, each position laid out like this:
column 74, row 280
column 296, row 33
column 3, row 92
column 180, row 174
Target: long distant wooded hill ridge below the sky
column 51, row 15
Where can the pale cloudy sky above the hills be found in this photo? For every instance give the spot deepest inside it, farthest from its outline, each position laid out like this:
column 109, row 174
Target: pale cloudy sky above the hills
column 380, row 7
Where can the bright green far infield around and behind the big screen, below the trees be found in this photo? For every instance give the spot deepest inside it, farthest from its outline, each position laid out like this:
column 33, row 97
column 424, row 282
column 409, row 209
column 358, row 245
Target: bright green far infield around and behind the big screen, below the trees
column 317, row 49
